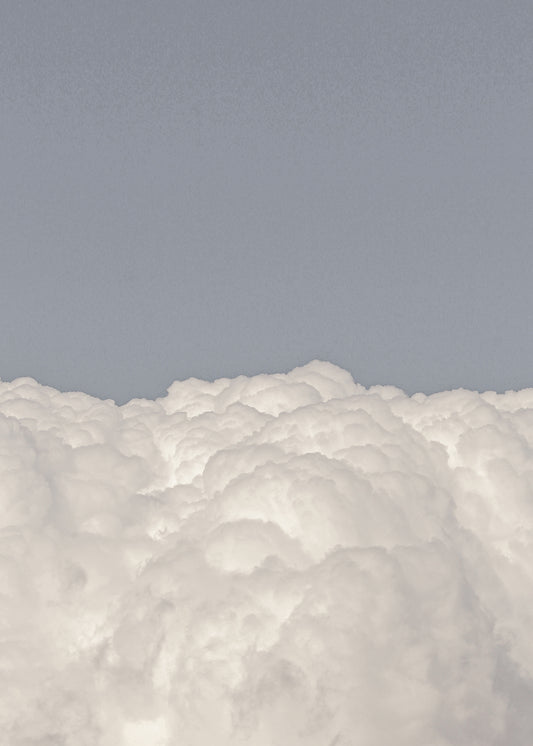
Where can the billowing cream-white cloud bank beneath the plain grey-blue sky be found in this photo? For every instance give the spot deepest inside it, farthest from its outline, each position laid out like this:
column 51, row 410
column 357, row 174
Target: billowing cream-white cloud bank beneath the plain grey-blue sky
column 271, row 561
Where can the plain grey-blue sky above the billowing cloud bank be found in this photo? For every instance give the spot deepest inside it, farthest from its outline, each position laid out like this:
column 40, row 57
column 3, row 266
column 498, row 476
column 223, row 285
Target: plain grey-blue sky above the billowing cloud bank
column 220, row 187
